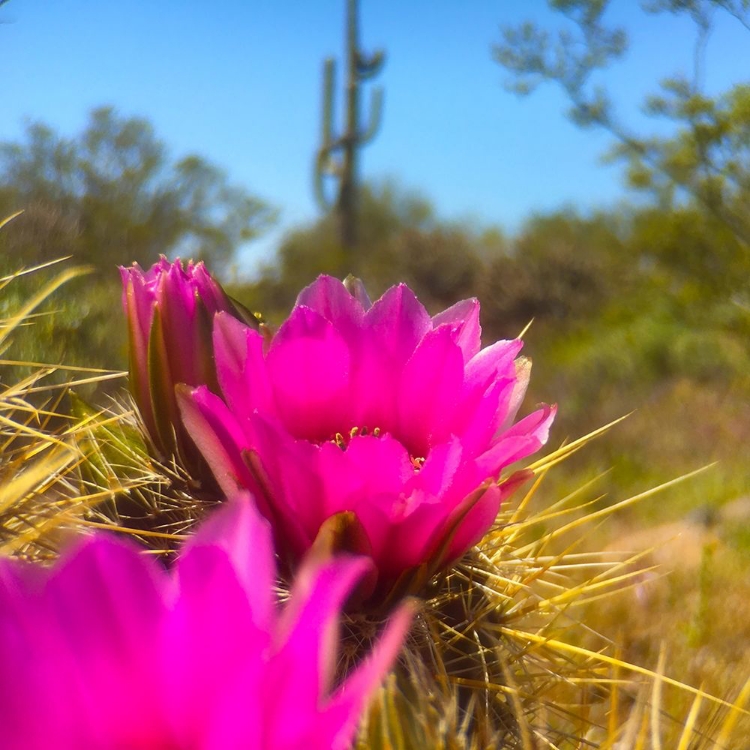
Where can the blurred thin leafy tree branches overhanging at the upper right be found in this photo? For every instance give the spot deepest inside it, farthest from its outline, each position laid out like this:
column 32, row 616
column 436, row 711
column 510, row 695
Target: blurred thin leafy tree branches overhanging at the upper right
column 704, row 161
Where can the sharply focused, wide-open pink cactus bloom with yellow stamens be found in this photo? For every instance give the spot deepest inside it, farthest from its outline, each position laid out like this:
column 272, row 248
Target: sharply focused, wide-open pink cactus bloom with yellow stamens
column 384, row 427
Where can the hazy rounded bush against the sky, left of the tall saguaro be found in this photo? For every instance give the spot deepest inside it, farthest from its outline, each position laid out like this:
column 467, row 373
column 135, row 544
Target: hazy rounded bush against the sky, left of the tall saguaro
column 112, row 194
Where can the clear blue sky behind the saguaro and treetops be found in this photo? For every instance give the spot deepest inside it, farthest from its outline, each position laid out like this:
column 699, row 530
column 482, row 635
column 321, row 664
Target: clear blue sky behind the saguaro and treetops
column 238, row 81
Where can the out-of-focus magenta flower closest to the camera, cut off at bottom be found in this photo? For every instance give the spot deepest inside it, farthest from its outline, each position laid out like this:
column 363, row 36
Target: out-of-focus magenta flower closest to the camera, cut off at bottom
column 109, row 650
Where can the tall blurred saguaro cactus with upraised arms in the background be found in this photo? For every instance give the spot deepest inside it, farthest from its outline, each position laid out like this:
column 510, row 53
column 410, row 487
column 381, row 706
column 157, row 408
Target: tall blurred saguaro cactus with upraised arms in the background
column 337, row 155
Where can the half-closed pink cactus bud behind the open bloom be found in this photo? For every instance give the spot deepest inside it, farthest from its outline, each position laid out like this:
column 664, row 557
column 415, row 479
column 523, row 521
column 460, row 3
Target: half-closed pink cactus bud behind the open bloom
column 170, row 310
